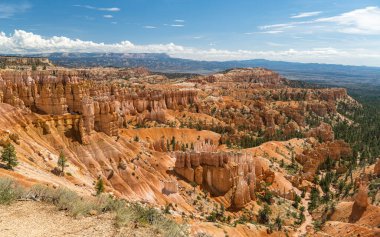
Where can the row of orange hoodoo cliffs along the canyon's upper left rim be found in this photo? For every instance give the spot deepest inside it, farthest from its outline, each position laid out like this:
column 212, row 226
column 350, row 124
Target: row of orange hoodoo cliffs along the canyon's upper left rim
column 103, row 106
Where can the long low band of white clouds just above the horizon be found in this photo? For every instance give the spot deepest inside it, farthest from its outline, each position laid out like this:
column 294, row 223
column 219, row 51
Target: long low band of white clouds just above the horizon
column 22, row 42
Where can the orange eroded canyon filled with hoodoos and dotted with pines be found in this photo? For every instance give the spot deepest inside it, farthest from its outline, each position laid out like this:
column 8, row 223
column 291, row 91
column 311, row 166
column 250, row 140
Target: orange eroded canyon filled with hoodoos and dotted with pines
column 237, row 141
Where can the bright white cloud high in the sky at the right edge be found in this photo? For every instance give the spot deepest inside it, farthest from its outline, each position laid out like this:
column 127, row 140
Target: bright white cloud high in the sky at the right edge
column 360, row 21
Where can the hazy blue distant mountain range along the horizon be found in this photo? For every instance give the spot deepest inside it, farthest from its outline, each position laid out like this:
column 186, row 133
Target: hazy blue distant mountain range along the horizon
column 352, row 77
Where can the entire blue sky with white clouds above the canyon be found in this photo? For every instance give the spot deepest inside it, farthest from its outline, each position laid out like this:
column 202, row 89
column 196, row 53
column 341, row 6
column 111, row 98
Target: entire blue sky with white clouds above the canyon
column 321, row 31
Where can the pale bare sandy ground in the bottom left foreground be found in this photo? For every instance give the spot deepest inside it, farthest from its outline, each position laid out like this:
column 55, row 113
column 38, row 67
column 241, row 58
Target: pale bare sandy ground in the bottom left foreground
column 33, row 219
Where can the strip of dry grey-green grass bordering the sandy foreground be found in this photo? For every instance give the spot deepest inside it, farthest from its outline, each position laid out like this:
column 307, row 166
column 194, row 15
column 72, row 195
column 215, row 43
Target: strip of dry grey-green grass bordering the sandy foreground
column 126, row 214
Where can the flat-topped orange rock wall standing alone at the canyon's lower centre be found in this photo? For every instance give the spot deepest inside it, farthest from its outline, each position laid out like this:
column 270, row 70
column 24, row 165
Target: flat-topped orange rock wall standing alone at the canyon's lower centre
column 222, row 173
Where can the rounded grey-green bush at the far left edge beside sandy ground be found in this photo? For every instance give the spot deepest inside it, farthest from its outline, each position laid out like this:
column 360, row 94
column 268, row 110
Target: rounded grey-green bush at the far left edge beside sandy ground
column 9, row 191
